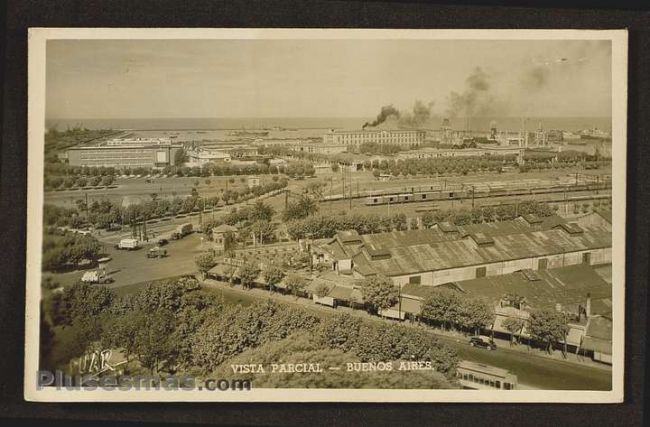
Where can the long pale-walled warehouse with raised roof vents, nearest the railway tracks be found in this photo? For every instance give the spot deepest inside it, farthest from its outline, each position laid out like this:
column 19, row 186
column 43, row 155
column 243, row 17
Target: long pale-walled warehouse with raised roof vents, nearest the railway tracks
column 448, row 253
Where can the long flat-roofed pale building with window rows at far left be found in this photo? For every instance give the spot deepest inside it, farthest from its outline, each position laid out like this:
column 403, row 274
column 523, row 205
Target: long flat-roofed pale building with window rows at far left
column 124, row 155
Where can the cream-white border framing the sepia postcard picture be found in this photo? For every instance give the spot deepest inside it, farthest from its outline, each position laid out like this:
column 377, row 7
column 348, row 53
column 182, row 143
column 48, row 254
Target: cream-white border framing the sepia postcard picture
column 37, row 38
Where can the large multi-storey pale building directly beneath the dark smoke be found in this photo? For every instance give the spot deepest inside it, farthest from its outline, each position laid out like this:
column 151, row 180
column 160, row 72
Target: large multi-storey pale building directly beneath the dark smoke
column 354, row 138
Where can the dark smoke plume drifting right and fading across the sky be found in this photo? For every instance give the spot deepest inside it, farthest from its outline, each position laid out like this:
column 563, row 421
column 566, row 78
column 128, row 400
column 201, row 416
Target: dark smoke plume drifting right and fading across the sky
column 533, row 85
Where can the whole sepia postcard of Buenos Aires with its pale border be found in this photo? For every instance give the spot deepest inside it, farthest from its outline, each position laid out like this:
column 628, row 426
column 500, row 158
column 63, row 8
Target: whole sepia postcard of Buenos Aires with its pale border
column 326, row 215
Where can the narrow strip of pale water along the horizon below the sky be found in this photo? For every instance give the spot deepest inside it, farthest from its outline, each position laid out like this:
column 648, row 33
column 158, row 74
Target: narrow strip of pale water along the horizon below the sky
column 475, row 123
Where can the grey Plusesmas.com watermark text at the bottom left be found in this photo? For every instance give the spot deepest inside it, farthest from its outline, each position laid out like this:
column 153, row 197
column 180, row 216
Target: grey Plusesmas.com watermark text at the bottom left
column 88, row 382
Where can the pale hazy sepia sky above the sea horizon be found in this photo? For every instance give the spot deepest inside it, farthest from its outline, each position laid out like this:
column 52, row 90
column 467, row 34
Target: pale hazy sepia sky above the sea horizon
column 324, row 78
